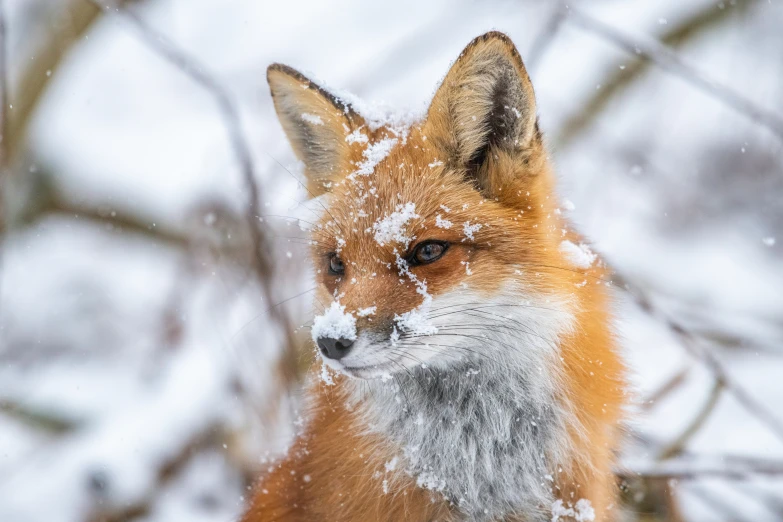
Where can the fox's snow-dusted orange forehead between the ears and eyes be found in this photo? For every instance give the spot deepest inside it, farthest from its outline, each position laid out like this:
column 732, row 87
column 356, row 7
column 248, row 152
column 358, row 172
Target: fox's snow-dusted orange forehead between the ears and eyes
column 409, row 195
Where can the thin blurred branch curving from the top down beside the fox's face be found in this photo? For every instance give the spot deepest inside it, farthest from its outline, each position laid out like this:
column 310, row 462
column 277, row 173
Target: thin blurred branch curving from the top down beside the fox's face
column 261, row 260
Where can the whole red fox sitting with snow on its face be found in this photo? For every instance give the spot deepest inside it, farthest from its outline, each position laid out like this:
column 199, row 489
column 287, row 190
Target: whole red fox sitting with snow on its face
column 470, row 367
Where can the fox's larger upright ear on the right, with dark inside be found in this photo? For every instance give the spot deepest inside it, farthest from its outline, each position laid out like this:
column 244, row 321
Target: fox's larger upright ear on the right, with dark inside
column 486, row 103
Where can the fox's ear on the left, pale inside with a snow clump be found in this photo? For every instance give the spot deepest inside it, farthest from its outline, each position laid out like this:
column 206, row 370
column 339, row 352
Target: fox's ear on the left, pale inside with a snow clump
column 316, row 123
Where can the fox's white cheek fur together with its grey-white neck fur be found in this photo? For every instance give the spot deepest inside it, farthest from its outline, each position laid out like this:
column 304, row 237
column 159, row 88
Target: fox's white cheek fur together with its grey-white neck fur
column 483, row 420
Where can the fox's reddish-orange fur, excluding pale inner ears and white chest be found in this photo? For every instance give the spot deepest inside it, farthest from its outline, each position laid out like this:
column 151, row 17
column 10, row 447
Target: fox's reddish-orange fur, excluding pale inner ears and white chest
column 328, row 474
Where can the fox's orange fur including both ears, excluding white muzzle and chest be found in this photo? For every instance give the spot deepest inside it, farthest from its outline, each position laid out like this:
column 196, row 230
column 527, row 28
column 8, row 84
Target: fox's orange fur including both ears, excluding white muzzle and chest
column 331, row 471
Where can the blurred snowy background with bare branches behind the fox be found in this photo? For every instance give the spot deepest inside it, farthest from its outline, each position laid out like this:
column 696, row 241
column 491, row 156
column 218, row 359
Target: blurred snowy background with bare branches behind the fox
column 141, row 375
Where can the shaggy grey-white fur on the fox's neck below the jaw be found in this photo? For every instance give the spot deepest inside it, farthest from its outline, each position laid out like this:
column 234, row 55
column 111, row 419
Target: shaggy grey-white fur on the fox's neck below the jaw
column 486, row 432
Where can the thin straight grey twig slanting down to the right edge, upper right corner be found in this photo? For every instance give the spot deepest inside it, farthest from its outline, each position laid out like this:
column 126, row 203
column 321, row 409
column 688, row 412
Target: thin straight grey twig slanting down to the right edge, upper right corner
column 666, row 59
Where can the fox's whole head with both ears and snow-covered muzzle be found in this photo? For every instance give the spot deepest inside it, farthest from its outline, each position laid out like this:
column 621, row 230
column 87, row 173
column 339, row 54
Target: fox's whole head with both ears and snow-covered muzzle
column 435, row 236
